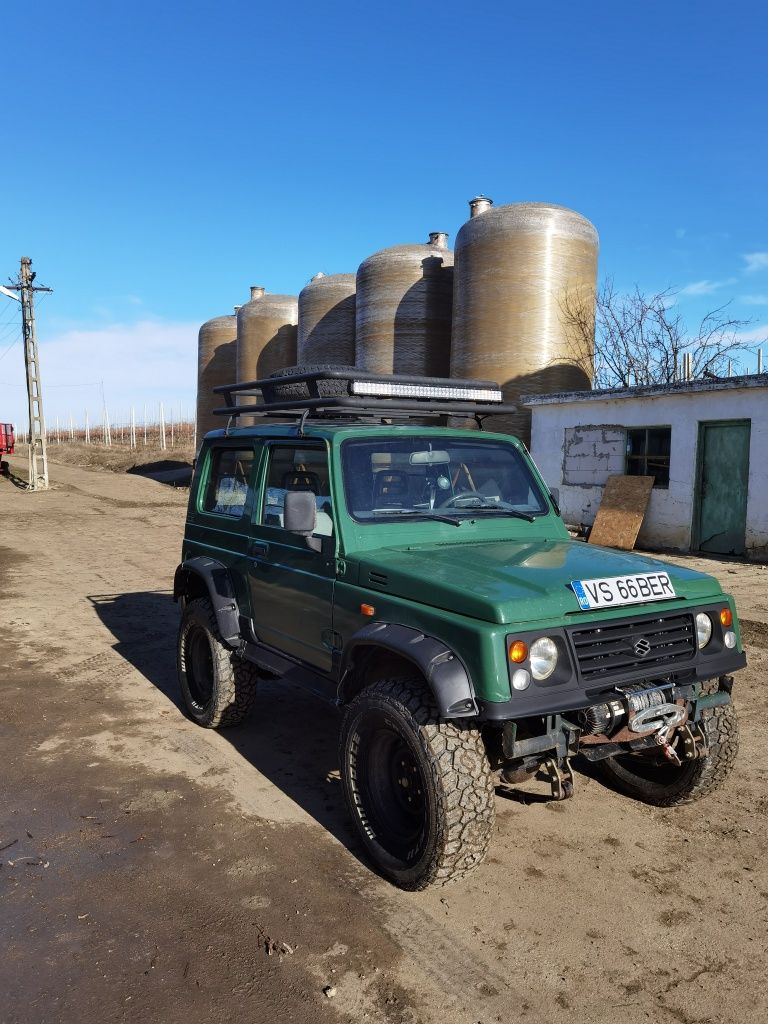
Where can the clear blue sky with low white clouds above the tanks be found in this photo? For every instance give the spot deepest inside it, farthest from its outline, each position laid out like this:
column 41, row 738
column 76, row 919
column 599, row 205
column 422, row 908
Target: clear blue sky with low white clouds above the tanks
column 174, row 155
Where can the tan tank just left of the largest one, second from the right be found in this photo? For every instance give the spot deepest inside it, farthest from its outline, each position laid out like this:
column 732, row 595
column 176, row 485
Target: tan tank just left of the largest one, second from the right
column 403, row 321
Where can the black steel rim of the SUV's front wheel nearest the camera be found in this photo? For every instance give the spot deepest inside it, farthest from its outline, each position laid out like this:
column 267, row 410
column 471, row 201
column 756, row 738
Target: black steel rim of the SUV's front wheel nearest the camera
column 392, row 787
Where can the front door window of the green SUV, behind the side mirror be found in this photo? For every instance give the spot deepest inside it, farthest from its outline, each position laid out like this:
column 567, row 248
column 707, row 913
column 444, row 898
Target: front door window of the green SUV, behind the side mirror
column 298, row 470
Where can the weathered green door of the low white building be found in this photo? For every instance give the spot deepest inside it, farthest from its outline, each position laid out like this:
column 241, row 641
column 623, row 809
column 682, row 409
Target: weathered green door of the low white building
column 723, row 475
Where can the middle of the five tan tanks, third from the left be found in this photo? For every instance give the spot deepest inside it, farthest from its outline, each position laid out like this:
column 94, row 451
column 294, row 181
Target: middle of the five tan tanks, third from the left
column 327, row 321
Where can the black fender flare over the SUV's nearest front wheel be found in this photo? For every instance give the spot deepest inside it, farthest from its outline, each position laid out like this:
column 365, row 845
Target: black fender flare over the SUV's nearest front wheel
column 444, row 670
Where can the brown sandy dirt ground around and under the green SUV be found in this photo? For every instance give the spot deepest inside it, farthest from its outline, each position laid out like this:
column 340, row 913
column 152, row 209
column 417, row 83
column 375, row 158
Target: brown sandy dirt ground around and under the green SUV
column 154, row 871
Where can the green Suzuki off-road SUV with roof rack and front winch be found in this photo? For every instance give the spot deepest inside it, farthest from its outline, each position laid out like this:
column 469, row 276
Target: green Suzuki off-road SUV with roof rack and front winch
column 421, row 578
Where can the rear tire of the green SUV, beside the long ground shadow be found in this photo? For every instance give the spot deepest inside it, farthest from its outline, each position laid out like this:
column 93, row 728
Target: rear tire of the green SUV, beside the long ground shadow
column 219, row 688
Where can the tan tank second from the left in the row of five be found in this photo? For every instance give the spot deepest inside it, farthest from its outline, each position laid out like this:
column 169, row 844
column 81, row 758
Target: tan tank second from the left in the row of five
column 267, row 337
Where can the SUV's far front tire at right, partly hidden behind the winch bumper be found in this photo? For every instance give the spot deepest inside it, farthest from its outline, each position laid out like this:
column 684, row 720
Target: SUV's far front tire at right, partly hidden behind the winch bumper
column 694, row 780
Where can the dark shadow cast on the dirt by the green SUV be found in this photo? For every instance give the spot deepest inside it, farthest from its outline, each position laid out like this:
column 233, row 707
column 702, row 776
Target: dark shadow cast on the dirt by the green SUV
column 291, row 737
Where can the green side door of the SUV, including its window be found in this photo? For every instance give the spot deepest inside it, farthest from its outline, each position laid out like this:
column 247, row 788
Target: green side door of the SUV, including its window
column 292, row 582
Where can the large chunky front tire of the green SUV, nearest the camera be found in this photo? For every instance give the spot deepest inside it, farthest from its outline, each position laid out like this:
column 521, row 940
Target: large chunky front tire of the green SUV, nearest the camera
column 456, row 814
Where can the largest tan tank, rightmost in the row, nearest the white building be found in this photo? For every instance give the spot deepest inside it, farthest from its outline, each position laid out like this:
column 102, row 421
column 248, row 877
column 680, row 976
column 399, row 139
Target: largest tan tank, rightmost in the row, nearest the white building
column 523, row 273
